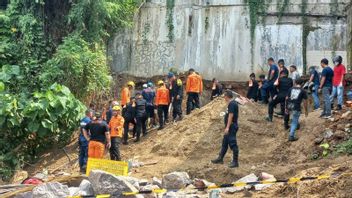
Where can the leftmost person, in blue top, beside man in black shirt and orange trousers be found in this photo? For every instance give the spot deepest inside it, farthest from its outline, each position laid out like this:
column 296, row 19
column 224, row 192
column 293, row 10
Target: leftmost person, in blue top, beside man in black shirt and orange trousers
column 83, row 143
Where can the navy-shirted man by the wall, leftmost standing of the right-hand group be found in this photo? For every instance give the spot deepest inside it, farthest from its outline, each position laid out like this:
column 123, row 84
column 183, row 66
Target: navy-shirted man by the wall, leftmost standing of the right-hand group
column 268, row 86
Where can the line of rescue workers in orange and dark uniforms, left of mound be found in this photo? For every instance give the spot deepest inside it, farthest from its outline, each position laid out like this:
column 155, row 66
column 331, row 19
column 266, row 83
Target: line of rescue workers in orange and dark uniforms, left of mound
column 138, row 112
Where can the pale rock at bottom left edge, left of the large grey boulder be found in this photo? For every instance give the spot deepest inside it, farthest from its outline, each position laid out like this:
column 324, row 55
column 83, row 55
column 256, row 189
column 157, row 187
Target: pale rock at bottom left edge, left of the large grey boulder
column 49, row 190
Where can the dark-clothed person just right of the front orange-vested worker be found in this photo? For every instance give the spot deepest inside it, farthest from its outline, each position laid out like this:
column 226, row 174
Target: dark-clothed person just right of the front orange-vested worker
column 129, row 117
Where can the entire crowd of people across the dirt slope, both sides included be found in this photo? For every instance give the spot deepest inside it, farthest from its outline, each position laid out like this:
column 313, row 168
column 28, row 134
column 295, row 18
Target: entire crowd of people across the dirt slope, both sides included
column 140, row 111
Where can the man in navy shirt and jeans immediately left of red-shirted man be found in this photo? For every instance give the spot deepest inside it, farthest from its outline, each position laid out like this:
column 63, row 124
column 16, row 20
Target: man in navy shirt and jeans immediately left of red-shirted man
column 326, row 86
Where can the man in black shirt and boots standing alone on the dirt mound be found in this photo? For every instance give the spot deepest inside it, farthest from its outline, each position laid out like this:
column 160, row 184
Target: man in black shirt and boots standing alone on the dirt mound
column 231, row 128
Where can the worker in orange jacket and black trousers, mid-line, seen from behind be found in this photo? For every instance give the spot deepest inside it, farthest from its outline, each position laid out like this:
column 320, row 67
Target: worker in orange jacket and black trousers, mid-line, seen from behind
column 162, row 101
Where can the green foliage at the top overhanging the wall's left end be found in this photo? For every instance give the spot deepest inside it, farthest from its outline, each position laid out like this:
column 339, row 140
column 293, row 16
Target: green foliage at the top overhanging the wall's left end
column 96, row 20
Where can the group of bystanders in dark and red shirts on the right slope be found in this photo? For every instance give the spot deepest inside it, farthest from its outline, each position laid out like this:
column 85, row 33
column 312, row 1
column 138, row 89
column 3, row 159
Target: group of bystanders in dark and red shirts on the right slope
column 284, row 87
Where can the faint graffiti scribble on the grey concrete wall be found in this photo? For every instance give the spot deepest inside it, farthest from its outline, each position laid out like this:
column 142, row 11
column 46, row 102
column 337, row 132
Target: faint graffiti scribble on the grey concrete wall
column 153, row 56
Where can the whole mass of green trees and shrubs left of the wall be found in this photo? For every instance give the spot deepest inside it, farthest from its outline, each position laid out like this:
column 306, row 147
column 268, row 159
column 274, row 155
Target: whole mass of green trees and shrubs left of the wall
column 37, row 109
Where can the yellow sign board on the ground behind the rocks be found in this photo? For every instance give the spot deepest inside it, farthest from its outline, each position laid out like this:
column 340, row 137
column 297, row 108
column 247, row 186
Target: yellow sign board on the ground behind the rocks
column 114, row 167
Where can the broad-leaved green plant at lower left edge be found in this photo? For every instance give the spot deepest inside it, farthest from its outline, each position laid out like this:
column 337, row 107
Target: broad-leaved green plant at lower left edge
column 31, row 124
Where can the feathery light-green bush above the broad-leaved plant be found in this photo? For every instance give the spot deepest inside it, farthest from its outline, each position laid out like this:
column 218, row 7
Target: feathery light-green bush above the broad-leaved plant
column 79, row 67
